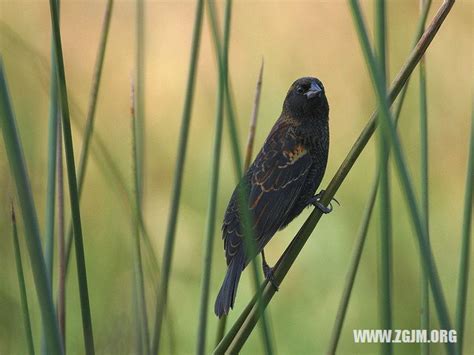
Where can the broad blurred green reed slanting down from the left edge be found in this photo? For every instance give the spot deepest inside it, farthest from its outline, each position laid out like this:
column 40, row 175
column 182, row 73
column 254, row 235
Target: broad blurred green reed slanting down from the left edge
column 16, row 160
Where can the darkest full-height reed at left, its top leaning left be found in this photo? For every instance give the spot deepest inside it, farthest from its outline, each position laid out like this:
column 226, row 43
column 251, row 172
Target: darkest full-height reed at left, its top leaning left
column 73, row 187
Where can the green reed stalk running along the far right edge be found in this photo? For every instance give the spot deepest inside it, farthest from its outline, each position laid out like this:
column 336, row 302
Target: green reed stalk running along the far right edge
column 463, row 275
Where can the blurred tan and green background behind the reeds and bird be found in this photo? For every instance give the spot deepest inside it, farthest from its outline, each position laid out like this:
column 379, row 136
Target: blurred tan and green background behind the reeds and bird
column 295, row 38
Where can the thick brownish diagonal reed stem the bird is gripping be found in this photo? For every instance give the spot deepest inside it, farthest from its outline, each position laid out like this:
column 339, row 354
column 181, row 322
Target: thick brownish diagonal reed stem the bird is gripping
column 249, row 316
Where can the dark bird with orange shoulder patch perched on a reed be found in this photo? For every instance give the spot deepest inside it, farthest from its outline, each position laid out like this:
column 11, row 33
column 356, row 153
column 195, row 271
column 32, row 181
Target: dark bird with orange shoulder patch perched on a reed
column 279, row 184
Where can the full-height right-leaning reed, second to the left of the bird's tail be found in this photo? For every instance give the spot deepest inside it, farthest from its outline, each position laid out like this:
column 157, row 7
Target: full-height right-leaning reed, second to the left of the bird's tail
column 178, row 178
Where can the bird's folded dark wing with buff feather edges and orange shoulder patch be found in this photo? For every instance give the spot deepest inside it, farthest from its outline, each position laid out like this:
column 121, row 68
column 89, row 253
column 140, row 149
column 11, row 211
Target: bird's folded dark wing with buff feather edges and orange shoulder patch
column 274, row 180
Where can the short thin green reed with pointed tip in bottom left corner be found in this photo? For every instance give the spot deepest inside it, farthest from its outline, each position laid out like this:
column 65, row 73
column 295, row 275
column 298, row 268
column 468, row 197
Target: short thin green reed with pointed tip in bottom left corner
column 21, row 283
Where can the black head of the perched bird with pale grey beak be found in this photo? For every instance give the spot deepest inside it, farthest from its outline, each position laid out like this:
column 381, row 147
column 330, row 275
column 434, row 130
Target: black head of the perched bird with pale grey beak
column 306, row 99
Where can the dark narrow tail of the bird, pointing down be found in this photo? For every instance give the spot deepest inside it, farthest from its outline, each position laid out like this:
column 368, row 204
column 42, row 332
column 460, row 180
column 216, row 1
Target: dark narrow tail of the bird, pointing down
column 226, row 297
